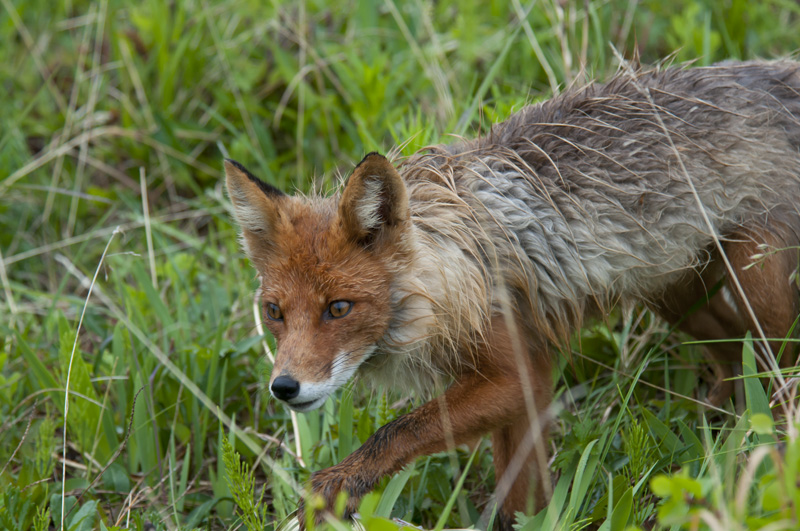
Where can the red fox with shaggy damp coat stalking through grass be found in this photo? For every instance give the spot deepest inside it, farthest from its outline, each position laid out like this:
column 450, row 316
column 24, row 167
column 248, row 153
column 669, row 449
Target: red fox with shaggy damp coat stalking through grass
column 466, row 265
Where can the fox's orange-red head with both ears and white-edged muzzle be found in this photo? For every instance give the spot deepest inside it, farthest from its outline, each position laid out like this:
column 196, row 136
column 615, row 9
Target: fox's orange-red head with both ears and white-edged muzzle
column 325, row 266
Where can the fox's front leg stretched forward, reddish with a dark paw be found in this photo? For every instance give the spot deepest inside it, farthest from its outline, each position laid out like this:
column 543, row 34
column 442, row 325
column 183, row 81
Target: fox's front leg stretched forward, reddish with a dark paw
column 480, row 401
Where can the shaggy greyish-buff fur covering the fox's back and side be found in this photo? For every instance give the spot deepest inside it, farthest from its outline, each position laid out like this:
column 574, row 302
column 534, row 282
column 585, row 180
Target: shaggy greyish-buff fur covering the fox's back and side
column 582, row 200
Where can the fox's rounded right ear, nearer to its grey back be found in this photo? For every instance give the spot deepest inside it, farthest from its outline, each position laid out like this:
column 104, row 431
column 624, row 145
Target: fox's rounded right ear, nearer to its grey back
column 374, row 198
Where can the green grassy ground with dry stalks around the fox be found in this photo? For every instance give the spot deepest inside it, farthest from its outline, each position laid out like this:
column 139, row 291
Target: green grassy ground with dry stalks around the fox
column 122, row 281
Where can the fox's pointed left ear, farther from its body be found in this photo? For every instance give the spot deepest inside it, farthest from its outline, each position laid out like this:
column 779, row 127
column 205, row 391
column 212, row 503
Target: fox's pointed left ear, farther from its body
column 255, row 203
